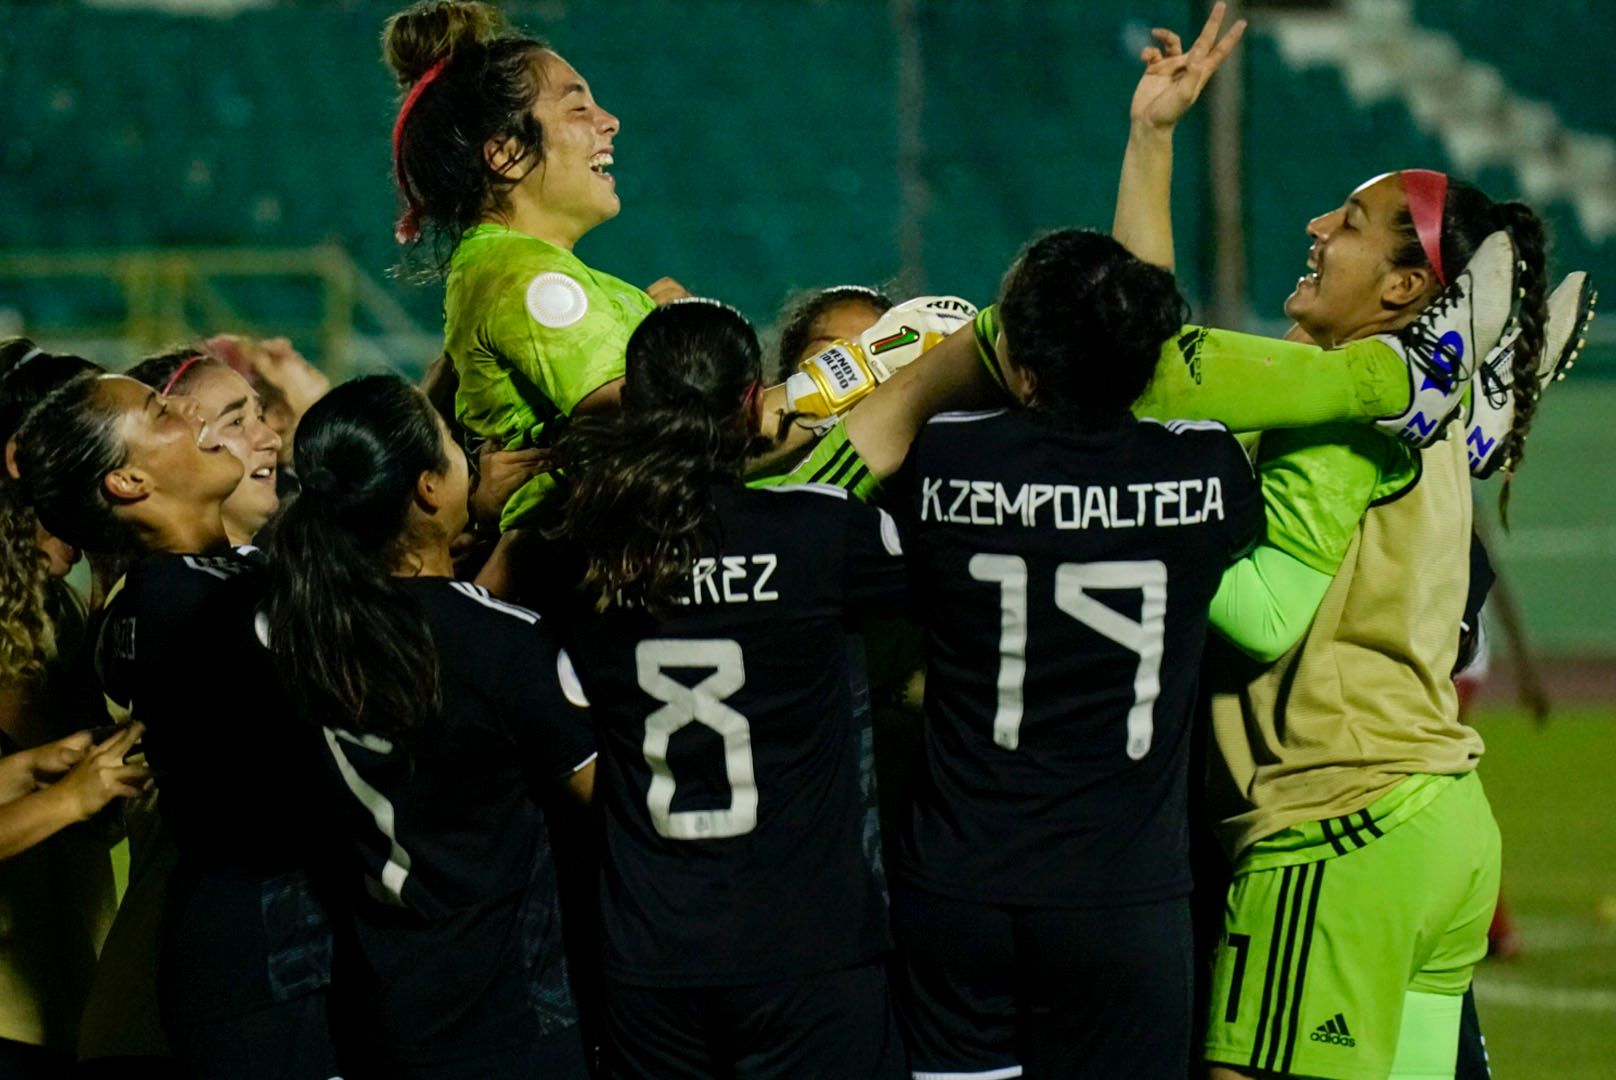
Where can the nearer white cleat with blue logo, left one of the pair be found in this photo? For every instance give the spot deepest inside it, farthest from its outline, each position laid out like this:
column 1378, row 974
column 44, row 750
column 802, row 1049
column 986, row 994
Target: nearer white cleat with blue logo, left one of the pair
column 1446, row 344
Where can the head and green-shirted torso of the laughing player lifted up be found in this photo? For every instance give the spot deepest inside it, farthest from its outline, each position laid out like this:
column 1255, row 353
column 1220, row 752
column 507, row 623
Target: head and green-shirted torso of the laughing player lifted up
column 502, row 153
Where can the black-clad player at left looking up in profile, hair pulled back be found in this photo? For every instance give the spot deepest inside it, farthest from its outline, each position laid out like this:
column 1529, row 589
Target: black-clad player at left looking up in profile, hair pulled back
column 114, row 466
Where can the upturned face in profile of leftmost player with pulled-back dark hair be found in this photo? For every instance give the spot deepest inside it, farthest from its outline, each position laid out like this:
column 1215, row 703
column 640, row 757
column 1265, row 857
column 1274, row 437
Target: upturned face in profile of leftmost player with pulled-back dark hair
column 169, row 449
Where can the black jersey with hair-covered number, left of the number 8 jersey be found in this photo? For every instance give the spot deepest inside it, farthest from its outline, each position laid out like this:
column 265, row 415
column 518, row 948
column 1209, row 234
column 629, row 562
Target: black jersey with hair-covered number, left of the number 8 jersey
column 450, row 885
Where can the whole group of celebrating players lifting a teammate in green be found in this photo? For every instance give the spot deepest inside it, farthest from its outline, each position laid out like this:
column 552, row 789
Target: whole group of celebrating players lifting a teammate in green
column 534, row 735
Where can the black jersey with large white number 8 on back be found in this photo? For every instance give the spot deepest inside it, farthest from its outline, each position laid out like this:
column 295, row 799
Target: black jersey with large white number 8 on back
column 730, row 751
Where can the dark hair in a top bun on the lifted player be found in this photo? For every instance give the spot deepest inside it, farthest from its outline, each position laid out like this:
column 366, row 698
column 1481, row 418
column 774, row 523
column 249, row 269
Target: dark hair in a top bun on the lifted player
column 486, row 90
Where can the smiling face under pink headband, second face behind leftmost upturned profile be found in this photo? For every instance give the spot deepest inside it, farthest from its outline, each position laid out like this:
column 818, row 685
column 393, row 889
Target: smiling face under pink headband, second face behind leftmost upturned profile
column 235, row 415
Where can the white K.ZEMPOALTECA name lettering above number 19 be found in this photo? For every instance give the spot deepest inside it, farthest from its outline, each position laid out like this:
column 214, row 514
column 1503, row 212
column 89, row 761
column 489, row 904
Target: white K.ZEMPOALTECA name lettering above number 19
column 1164, row 504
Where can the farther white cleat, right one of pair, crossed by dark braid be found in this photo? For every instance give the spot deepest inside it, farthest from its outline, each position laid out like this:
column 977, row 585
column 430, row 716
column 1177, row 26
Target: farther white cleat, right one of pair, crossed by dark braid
column 1492, row 389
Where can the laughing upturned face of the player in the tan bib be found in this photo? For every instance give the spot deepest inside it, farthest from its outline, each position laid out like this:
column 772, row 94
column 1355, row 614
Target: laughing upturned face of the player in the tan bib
column 1353, row 289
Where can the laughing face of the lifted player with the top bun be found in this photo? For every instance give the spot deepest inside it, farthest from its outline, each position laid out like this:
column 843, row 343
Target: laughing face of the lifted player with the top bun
column 573, row 185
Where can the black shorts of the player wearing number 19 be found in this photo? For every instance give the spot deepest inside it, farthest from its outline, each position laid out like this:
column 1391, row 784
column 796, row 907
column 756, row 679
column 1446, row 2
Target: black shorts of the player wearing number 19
column 988, row 992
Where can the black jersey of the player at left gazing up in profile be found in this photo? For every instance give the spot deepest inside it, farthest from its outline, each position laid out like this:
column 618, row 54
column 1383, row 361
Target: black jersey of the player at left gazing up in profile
column 177, row 651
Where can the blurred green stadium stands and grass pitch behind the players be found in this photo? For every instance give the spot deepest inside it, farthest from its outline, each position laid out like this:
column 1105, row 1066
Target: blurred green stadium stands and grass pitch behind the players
column 175, row 167
